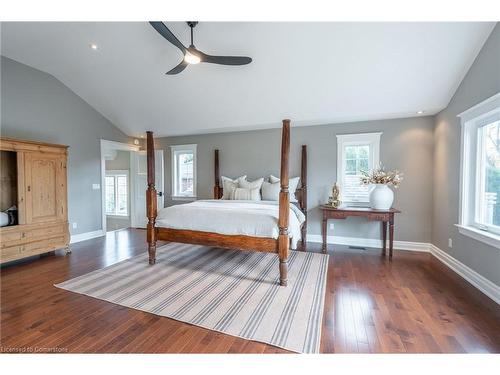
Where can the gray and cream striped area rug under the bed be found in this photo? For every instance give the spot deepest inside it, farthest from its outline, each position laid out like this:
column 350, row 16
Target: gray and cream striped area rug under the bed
column 229, row 291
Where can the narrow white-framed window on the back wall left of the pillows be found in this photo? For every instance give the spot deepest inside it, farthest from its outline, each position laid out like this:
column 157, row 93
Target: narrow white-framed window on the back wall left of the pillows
column 183, row 171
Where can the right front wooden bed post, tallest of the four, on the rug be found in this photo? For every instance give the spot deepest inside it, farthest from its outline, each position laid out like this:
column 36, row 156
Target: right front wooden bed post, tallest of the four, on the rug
column 284, row 205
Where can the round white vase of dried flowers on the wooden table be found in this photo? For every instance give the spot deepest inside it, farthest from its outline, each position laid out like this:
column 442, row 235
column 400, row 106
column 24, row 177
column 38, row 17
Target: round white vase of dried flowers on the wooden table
column 381, row 196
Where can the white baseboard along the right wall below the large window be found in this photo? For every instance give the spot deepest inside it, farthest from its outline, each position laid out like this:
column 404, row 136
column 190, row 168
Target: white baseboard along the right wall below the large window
column 483, row 284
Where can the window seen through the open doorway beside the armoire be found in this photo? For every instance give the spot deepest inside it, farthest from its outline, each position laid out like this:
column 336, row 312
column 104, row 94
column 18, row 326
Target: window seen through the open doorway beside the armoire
column 116, row 193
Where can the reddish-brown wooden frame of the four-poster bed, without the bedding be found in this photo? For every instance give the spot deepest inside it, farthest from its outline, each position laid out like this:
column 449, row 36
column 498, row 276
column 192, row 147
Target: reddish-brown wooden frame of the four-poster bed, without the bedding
column 279, row 244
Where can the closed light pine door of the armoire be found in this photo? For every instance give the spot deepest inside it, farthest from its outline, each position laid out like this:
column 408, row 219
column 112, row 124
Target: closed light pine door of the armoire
column 45, row 187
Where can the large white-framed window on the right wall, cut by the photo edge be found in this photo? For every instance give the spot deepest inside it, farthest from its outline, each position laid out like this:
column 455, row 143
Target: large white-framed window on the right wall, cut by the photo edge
column 480, row 172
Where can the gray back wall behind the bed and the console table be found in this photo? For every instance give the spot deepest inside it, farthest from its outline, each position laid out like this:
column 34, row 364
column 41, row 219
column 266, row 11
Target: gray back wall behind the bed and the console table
column 406, row 144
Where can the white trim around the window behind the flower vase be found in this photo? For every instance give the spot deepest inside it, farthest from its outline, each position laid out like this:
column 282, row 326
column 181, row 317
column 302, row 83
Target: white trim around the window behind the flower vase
column 359, row 138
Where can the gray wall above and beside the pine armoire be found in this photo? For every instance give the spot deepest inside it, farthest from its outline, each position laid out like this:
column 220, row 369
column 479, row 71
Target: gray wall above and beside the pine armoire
column 37, row 106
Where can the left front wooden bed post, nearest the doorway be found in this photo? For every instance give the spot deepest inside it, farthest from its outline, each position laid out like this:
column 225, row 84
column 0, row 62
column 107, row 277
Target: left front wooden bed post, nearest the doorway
column 151, row 206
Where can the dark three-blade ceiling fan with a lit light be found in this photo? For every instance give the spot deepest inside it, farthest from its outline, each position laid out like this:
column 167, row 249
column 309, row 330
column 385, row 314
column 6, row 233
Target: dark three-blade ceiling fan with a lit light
column 193, row 55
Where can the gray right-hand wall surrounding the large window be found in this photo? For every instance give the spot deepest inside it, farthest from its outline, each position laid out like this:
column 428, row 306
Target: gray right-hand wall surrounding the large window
column 481, row 82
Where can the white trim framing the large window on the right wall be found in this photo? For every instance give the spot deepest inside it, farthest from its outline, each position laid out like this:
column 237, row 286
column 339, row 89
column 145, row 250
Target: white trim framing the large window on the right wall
column 468, row 162
